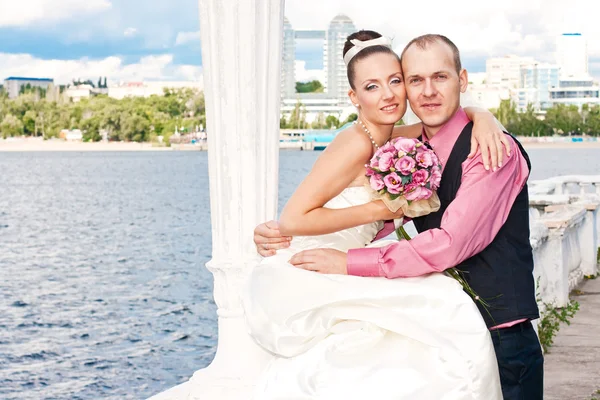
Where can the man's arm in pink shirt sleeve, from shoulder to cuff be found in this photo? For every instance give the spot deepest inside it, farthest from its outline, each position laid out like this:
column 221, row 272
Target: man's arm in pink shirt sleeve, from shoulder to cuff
column 468, row 226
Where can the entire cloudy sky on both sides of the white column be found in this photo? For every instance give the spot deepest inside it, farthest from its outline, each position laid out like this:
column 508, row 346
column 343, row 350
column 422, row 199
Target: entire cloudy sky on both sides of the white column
column 132, row 40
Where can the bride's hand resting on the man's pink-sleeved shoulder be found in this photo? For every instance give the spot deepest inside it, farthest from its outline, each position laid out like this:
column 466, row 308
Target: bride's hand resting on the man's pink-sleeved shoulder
column 490, row 138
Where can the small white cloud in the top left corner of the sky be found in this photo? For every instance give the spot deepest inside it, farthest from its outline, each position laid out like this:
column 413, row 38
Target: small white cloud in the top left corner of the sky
column 27, row 12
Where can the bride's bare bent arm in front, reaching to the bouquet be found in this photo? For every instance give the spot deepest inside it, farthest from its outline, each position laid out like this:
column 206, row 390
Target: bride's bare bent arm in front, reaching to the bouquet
column 334, row 170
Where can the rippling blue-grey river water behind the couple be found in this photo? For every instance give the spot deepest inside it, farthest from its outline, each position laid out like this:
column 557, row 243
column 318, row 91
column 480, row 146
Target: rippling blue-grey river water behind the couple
column 103, row 289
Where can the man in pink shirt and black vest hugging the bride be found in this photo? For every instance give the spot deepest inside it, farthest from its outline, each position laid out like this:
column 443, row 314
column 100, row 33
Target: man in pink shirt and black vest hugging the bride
column 482, row 227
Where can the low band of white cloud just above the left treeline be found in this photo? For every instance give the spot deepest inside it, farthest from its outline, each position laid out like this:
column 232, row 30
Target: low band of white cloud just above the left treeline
column 158, row 67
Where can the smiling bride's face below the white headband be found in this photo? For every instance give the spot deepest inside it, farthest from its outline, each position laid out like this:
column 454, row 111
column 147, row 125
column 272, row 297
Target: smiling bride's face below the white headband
column 379, row 89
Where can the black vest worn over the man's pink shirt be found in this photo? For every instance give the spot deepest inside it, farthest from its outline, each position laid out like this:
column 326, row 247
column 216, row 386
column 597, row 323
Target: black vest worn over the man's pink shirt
column 501, row 274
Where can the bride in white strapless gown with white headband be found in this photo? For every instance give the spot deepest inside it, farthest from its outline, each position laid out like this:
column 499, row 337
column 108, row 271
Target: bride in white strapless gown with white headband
column 348, row 337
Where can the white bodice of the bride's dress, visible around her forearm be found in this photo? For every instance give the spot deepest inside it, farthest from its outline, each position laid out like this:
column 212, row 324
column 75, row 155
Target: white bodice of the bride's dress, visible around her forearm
column 350, row 238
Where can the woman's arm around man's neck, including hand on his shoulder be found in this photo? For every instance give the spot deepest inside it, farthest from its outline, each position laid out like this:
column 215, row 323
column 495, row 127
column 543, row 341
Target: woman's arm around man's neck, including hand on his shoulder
column 488, row 134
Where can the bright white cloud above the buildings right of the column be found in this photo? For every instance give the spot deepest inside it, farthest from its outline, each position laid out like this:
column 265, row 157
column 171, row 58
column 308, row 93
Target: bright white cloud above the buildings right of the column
column 480, row 28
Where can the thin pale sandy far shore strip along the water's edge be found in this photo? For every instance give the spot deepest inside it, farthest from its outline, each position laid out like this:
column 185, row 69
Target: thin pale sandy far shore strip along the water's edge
column 25, row 145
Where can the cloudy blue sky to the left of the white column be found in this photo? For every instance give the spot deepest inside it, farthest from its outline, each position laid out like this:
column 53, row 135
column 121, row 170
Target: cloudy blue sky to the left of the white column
column 85, row 33
